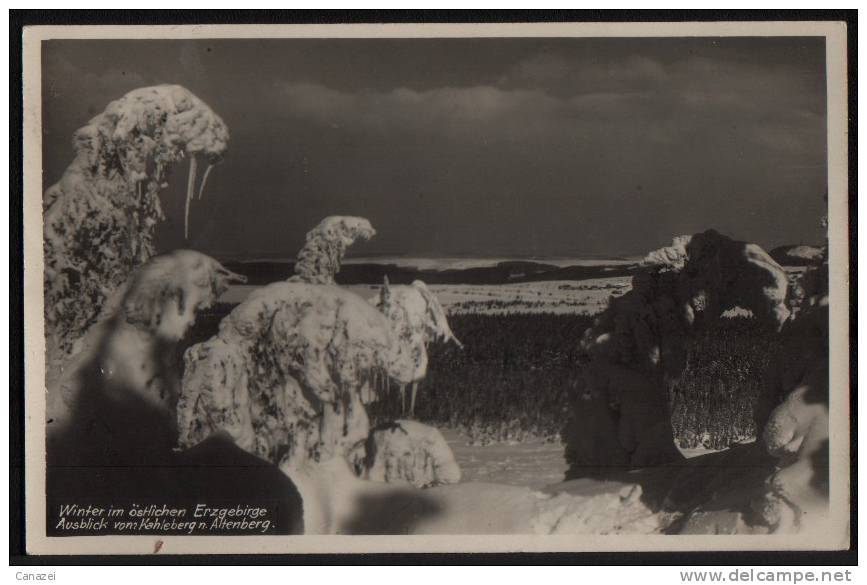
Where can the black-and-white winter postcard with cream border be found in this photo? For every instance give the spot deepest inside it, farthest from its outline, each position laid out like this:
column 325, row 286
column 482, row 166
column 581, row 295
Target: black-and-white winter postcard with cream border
column 442, row 281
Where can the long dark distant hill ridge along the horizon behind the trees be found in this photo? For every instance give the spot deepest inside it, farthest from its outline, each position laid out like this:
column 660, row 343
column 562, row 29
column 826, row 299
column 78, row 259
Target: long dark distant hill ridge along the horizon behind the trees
column 506, row 272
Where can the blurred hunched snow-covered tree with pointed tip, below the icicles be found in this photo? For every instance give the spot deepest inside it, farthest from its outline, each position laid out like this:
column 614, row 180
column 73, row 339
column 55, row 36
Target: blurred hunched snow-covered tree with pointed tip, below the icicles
column 128, row 369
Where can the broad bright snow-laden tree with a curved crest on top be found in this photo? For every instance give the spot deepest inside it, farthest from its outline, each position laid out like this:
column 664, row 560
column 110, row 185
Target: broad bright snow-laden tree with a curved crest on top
column 290, row 370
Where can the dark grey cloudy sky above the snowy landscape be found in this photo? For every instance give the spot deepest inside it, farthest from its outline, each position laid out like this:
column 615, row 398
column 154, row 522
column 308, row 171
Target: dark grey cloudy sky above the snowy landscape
column 528, row 147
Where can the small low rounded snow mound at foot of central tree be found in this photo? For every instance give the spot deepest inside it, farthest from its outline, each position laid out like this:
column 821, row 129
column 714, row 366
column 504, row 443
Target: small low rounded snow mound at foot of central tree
column 407, row 451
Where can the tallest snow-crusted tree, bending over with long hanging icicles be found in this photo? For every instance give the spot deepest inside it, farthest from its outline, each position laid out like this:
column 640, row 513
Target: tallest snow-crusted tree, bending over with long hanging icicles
column 99, row 219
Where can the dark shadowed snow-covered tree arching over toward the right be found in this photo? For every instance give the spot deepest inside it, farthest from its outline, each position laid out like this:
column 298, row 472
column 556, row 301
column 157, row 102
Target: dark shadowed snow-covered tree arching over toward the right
column 640, row 341
